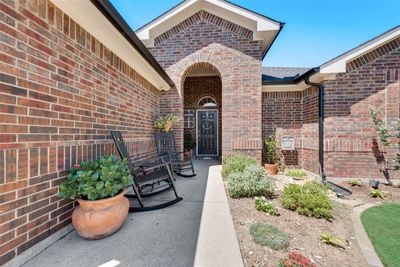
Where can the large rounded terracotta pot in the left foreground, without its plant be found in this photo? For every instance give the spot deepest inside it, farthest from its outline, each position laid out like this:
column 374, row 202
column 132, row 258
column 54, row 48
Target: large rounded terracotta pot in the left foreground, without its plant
column 100, row 218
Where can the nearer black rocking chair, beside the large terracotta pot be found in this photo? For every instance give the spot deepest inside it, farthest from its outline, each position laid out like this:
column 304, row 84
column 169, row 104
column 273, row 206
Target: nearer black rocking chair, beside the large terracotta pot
column 150, row 179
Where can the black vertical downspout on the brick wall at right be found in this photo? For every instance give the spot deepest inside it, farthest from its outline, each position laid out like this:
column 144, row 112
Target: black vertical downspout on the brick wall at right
column 321, row 93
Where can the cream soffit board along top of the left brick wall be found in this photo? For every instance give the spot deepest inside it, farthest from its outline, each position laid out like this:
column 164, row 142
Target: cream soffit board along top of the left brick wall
column 93, row 21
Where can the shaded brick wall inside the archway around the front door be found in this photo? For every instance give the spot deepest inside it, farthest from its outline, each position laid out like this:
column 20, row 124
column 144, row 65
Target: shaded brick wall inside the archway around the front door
column 196, row 88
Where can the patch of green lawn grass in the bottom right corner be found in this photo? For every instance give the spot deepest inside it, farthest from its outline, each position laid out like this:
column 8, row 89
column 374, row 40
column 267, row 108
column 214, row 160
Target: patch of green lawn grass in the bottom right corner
column 382, row 224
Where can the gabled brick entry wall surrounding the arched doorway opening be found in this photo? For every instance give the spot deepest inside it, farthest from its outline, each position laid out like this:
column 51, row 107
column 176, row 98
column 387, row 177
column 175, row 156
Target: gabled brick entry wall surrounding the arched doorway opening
column 229, row 48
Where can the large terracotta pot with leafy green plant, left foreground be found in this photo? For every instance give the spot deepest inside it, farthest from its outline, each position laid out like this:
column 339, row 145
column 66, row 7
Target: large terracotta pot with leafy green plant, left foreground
column 99, row 187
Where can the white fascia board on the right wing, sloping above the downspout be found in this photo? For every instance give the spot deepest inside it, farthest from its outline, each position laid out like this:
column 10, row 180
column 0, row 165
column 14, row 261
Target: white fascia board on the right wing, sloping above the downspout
column 338, row 65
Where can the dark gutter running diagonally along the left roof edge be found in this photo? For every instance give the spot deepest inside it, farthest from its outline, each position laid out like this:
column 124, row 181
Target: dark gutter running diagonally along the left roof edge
column 113, row 16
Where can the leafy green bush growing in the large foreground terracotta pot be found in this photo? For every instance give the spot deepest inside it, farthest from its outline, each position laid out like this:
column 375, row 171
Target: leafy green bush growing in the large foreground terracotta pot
column 97, row 179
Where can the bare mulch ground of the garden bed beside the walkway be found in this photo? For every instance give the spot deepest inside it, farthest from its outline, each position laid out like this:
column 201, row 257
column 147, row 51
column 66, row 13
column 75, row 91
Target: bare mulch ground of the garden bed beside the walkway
column 304, row 232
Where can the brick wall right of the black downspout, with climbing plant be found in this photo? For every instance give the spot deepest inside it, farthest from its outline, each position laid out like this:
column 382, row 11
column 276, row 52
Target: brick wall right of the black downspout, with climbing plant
column 372, row 80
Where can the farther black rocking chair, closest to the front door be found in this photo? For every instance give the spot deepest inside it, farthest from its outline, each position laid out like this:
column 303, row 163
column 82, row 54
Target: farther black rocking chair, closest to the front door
column 181, row 162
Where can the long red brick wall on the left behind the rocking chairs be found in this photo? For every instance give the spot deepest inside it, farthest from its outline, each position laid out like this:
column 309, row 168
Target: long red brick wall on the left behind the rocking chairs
column 61, row 92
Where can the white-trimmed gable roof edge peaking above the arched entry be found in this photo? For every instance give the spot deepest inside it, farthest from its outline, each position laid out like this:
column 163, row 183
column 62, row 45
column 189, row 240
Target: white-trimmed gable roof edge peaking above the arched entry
column 263, row 27
